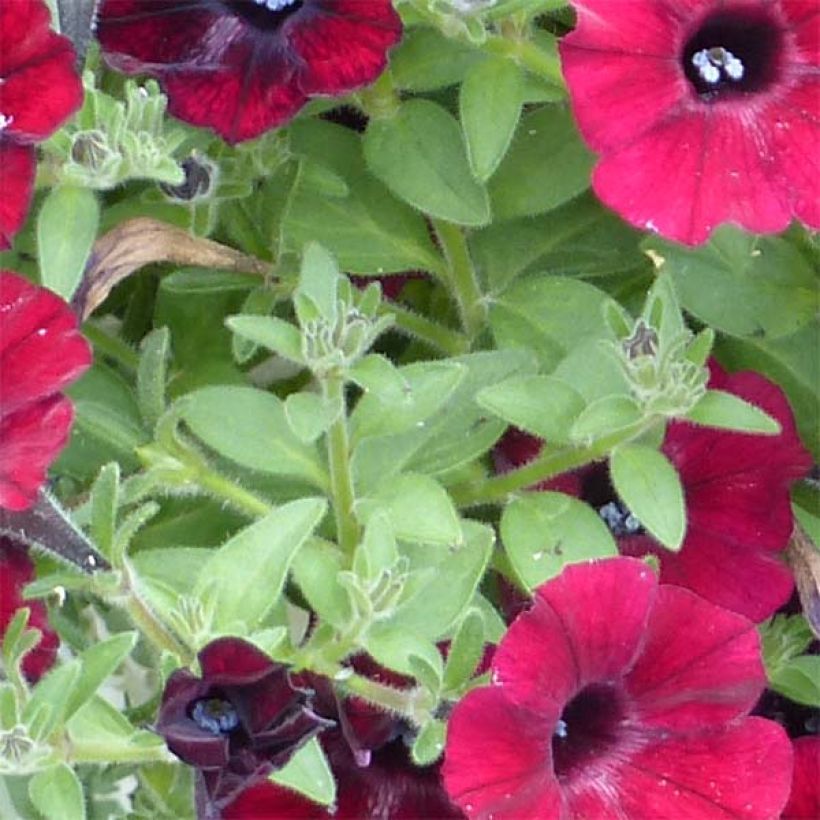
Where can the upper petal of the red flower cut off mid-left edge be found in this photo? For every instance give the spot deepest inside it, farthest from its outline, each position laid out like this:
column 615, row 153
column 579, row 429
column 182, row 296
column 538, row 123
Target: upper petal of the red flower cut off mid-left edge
column 41, row 349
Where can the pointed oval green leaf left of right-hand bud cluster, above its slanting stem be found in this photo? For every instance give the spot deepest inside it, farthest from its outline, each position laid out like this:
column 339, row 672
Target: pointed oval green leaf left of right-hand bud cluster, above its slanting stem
column 541, row 405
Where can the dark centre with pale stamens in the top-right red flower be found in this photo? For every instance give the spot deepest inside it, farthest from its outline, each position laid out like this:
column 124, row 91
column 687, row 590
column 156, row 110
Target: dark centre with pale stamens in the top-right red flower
column 732, row 52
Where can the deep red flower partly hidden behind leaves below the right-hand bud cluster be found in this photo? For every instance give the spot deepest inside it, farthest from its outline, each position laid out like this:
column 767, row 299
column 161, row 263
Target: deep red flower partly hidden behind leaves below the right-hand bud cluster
column 736, row 487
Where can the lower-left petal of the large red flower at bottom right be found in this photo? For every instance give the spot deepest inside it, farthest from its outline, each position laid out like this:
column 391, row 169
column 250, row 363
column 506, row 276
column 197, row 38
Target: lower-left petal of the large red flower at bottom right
column 498, row 759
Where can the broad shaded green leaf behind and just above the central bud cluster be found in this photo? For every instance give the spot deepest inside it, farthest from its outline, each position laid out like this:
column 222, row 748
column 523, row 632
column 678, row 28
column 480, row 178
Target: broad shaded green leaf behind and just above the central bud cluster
column 369, row 231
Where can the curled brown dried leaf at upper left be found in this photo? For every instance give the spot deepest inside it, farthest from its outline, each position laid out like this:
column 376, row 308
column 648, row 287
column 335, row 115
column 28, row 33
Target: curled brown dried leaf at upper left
column 138, row 242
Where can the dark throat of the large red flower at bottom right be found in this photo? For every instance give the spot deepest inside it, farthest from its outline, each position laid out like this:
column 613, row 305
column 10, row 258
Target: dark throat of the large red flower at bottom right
column 588, row 728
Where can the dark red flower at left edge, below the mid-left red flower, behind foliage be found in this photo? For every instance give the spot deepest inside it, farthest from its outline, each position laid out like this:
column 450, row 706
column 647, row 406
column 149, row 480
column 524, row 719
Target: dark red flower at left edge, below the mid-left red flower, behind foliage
column 16, row 570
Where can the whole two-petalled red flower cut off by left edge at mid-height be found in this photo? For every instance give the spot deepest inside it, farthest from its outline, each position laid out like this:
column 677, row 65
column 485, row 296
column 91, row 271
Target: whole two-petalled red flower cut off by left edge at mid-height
column 41, row 352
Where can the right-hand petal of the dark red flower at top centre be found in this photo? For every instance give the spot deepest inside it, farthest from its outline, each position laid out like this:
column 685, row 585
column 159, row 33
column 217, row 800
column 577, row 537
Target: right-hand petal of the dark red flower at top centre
column 345, row 46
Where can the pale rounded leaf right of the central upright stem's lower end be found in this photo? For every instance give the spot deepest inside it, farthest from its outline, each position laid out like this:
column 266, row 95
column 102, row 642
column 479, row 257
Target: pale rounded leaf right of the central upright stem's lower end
column 417, row 507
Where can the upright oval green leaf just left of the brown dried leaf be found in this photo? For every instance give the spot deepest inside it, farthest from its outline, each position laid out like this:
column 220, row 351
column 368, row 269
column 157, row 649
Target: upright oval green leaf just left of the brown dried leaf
column 66, row 229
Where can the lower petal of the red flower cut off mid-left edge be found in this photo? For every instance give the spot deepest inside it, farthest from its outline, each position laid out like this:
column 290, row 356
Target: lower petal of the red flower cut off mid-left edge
column 30, row 440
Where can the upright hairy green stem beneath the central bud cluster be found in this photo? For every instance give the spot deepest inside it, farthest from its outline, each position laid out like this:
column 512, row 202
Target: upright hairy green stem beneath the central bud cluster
column 341, row 479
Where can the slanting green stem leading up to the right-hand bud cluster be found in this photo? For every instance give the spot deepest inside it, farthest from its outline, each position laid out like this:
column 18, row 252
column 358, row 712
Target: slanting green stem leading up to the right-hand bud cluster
column 550, row 463
